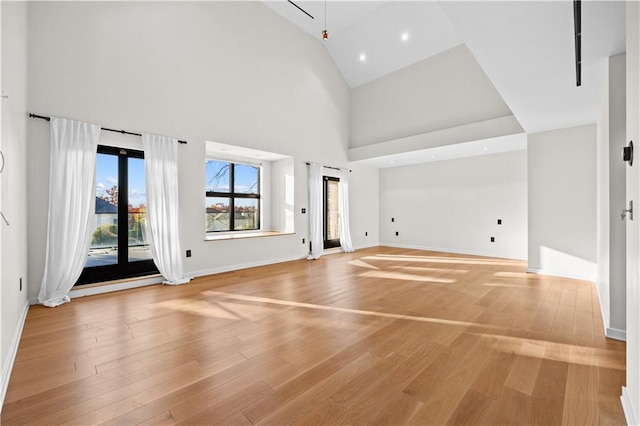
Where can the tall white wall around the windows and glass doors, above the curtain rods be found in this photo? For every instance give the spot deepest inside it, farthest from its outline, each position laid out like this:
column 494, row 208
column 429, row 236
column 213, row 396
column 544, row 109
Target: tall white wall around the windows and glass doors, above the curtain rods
column 232, row 72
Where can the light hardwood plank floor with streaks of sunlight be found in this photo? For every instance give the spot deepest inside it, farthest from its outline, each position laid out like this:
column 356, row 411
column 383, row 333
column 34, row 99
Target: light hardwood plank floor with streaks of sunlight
column 380, row 336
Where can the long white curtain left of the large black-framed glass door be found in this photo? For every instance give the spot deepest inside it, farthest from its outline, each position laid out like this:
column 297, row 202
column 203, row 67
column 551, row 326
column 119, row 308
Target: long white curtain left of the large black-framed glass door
column 72, row 193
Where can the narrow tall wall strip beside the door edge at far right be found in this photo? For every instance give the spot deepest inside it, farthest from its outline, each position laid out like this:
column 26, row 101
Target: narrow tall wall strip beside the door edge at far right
column 611, row 239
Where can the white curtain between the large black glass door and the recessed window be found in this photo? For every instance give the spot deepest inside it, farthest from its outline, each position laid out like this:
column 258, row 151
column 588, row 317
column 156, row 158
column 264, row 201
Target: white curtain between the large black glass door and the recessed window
column 161, row 170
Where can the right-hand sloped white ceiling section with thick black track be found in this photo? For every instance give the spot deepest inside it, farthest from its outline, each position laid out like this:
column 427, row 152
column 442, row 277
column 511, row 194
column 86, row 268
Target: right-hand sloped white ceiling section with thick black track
column 527, row 51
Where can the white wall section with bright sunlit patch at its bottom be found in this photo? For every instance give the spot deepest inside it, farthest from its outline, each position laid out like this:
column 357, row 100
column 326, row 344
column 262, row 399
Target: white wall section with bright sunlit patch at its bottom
column 562, row 202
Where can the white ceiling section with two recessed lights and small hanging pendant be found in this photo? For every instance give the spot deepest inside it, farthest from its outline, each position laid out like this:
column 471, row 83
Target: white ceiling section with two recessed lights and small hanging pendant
column 374, row 28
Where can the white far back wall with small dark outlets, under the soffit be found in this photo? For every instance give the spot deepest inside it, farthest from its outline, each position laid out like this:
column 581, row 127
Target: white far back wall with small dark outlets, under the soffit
column 454, row 205
